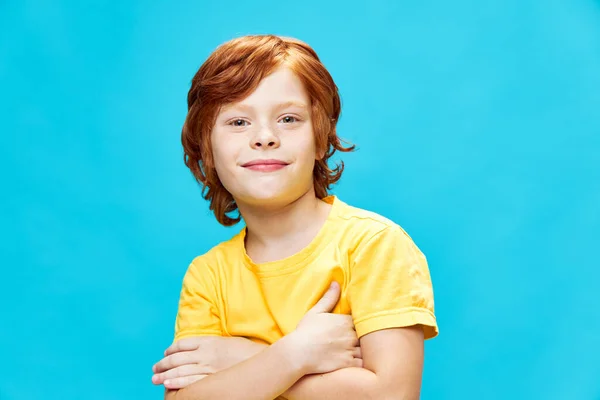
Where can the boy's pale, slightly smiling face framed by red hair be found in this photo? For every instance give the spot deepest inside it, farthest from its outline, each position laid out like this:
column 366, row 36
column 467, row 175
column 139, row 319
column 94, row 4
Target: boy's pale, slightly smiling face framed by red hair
column 264, row 146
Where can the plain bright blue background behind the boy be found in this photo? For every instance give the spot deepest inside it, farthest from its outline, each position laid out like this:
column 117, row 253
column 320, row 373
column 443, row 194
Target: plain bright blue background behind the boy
column 479, row 132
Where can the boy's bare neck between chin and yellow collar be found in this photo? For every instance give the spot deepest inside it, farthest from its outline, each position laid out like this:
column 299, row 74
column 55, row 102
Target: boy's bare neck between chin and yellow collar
column 274, row 234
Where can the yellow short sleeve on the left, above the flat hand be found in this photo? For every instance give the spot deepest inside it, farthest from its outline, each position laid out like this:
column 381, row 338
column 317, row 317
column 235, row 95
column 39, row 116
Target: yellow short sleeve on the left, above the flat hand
column 198, row 313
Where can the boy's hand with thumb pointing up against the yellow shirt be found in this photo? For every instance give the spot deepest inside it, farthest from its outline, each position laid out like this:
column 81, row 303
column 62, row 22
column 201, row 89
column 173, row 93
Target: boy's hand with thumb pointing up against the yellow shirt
column 326, row 342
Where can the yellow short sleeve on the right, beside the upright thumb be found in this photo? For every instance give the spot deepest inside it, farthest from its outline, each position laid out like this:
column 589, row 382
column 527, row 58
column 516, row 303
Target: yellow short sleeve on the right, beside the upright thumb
column 390, row 285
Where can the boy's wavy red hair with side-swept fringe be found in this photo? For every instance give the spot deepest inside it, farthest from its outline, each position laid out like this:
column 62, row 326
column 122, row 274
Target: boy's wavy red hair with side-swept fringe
column 231, row 73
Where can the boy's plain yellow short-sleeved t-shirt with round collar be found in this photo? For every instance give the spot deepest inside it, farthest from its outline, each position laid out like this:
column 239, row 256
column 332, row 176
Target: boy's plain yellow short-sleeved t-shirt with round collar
column 384, row 279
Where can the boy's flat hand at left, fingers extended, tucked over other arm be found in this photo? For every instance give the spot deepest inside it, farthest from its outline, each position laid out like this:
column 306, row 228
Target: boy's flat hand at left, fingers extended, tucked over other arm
column 191, row 359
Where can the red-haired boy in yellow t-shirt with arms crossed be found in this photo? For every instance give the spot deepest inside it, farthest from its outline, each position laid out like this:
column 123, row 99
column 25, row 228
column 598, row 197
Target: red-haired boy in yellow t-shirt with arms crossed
column 253, row 322
